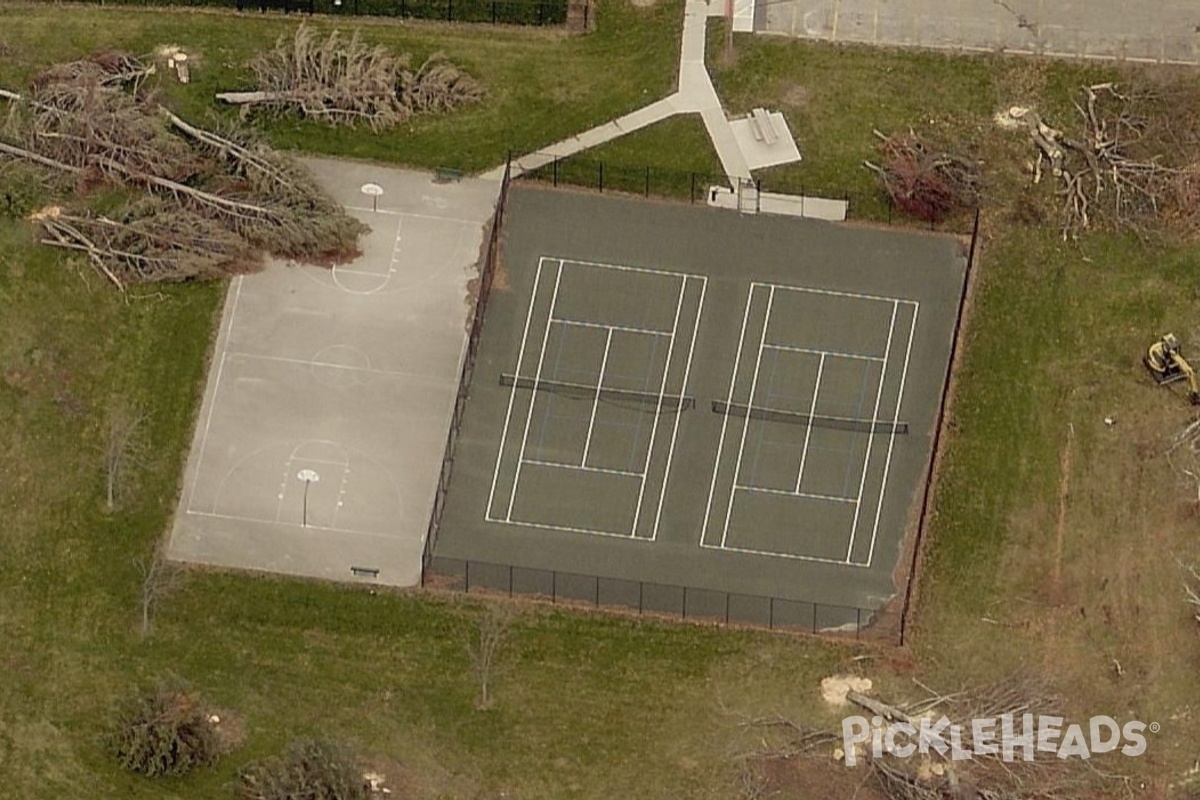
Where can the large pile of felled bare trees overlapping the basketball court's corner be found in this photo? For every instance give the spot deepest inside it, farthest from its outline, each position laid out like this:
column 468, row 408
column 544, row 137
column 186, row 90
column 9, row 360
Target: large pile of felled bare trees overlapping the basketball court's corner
column 153, row 197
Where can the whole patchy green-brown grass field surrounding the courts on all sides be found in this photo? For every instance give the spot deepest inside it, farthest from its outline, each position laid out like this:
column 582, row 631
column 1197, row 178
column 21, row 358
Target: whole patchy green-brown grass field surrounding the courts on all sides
column 591, row 706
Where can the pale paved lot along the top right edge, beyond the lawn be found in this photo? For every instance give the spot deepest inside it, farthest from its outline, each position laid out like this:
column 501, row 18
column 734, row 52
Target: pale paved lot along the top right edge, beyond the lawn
column 1142, row 31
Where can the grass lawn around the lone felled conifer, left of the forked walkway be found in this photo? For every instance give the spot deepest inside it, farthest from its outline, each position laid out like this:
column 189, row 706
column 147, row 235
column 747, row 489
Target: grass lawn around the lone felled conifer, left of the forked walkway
column 543, row 86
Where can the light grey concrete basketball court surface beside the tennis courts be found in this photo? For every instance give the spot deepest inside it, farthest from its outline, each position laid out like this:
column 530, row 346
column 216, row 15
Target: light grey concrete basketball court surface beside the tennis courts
column 321, row 436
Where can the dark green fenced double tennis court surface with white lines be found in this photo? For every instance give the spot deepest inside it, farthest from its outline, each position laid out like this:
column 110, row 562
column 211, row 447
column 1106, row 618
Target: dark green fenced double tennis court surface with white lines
column 674, row 398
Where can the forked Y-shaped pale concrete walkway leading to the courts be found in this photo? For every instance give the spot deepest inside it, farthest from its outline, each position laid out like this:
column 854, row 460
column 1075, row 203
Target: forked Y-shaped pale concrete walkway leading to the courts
column 695, row 95
